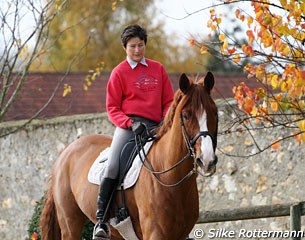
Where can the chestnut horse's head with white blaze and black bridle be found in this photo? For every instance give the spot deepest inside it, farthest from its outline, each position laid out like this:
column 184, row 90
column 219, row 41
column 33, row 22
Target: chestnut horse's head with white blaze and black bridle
column 199, row 120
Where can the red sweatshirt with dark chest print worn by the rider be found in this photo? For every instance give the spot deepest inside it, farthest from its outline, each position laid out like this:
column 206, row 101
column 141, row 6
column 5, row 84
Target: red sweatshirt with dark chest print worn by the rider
column 145, row 91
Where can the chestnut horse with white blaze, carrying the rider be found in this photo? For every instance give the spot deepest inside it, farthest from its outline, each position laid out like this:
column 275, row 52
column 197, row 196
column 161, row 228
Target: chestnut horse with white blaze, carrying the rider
column 164, row 202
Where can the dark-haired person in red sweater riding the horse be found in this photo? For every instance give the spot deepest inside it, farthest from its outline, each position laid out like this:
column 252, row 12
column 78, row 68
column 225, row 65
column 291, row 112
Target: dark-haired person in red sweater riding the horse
column 137, row 88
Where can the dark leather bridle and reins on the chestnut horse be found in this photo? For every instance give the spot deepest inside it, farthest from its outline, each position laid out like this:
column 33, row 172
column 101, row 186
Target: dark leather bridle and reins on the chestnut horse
column 190, row 143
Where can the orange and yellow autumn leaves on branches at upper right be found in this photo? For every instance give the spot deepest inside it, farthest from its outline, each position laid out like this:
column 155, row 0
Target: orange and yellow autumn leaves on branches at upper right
column 275, row 35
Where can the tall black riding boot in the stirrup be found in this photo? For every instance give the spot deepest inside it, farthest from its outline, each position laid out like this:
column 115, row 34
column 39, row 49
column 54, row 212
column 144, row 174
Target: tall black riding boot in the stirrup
column 101, row 229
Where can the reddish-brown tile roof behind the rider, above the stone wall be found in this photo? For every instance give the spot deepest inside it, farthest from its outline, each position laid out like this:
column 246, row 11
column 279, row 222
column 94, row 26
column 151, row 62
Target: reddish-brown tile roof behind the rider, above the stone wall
column 39, row 88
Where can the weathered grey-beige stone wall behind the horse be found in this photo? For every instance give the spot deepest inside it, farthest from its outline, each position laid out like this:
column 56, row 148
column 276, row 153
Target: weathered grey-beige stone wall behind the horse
column 274, row 176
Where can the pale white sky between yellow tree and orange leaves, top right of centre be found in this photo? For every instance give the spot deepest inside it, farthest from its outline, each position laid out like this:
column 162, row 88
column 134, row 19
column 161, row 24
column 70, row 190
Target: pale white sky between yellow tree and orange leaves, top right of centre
column 199, row 13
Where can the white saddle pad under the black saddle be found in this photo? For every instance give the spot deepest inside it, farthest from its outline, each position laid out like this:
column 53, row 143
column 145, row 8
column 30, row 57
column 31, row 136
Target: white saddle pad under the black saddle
column 97, row 169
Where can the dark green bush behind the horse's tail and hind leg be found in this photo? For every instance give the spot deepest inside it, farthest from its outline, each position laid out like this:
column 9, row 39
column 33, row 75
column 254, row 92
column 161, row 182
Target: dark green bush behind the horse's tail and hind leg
column 34, row 232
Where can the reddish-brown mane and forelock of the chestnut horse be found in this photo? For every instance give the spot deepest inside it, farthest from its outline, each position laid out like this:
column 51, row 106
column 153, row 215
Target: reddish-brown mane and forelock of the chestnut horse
column 197, row 97
